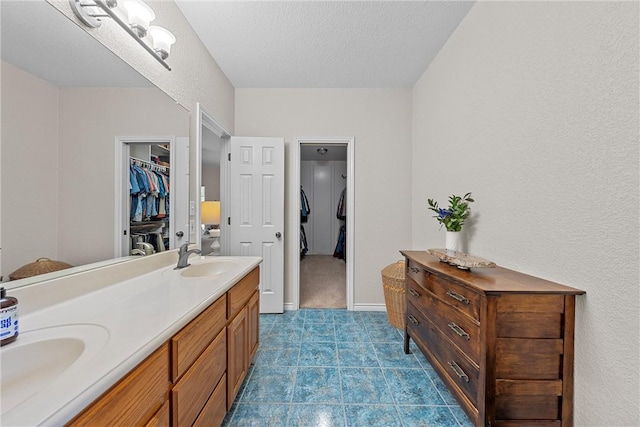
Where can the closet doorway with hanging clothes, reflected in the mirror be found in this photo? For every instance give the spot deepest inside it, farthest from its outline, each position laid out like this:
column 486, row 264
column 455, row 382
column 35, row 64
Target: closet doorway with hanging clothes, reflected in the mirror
column 148, row 214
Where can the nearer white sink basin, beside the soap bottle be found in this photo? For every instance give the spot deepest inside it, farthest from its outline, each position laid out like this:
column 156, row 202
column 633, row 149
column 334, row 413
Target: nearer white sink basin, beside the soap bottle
column 39, row 357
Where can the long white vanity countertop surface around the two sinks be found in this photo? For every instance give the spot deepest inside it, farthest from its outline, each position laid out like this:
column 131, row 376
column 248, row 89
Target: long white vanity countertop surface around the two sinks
column 138, row 315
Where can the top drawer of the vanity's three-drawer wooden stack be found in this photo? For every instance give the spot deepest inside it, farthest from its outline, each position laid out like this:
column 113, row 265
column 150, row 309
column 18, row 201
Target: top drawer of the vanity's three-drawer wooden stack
column 191, row 341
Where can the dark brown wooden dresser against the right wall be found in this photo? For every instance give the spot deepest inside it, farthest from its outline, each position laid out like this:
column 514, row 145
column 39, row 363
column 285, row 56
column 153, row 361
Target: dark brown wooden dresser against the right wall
column 502, row 341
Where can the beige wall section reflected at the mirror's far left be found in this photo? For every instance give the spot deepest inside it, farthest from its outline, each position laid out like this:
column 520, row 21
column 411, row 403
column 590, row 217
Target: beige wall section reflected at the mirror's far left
column 29, row 169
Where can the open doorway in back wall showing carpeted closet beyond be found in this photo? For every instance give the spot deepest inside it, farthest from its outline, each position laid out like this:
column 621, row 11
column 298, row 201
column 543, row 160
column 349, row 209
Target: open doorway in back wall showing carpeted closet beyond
column 325, row 261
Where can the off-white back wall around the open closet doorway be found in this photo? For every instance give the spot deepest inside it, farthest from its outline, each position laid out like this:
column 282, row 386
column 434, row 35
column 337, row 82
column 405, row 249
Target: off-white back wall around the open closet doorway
column 380, row 121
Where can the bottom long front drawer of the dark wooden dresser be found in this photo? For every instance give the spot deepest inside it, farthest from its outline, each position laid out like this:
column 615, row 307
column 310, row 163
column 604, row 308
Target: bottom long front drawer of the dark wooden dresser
column 458, row 370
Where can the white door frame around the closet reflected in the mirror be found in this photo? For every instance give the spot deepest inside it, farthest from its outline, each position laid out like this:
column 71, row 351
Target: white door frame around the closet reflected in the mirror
column 121, row 186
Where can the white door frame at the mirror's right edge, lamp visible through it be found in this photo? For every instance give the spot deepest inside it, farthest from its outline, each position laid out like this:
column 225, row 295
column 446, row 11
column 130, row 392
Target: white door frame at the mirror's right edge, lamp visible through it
column 205, row 120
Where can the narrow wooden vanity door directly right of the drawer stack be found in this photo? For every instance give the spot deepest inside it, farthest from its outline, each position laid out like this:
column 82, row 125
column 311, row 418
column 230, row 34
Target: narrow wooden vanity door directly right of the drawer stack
column 238, row 347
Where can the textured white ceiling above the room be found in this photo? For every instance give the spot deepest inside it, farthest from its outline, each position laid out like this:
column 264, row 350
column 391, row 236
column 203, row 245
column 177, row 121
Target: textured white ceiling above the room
column 327, row 44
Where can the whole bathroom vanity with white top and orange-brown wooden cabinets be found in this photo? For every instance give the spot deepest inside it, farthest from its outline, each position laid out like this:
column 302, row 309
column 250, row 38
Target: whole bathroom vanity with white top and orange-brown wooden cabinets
column 161, row 348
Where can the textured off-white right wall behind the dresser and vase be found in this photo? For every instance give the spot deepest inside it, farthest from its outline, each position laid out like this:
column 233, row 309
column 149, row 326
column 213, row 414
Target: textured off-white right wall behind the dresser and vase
column 533, row 106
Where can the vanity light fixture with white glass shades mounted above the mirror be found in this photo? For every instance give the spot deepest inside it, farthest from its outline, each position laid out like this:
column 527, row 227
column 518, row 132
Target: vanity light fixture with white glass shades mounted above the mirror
column 139, row 16
